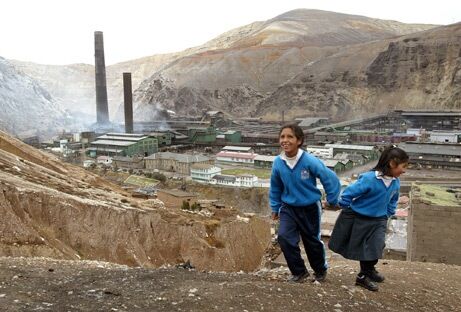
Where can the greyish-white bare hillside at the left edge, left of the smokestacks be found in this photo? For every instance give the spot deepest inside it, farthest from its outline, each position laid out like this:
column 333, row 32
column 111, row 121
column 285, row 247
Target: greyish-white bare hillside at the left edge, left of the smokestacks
column 25, row 107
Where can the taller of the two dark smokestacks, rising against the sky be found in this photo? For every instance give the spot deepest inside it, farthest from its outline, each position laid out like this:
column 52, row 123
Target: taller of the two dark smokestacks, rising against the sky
column 102, row 110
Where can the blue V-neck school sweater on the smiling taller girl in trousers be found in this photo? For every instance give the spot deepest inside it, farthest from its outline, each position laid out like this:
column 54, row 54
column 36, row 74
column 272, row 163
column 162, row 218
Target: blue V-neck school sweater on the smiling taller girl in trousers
column 298, row 186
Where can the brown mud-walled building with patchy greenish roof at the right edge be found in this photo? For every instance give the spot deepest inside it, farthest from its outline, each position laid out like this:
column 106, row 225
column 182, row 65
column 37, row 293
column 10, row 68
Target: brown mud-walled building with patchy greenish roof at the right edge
column 433, row 224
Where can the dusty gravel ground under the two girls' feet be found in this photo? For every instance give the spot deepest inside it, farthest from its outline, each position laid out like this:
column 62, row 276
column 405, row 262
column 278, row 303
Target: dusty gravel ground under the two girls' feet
column 40, row 284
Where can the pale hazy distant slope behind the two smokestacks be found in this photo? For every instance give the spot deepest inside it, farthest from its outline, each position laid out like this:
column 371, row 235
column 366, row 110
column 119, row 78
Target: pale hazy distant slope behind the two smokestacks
column 73, row 85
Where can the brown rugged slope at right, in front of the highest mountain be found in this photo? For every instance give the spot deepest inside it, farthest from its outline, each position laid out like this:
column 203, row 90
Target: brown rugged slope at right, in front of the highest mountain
column 420, row 70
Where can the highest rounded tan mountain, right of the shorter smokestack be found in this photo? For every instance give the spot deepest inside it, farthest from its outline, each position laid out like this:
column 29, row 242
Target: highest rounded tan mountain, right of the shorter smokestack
column 256, row 60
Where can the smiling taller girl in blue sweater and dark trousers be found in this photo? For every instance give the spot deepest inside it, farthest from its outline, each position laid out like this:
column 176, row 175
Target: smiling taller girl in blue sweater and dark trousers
column 295, row 200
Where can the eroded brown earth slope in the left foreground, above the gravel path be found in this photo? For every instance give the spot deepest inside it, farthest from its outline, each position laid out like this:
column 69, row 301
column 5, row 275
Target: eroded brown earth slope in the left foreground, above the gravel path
column 58, row 210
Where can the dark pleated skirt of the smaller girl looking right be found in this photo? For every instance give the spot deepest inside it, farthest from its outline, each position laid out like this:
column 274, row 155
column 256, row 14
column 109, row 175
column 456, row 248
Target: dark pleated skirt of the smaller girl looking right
column 358, row 237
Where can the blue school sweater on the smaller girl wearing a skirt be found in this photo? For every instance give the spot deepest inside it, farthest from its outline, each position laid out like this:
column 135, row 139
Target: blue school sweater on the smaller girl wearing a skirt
column 369, row 196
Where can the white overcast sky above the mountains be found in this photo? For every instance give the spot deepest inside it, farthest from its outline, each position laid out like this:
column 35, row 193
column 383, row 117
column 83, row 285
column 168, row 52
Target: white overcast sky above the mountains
column 62, row 31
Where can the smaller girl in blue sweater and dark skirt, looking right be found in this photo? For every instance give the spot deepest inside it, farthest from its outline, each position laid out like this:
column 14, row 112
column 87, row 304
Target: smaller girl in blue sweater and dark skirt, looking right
column 359, row 232
